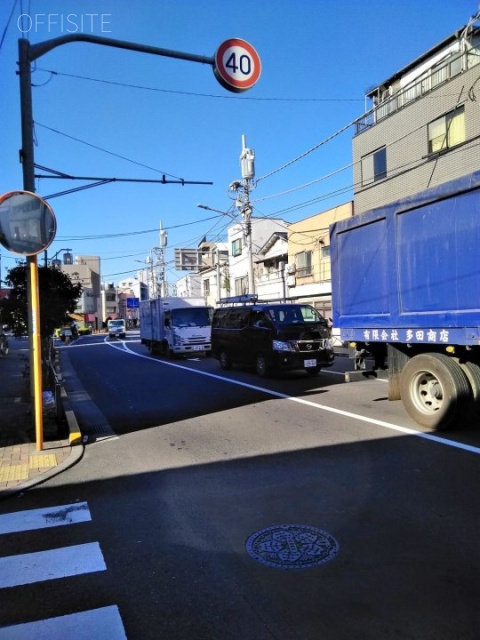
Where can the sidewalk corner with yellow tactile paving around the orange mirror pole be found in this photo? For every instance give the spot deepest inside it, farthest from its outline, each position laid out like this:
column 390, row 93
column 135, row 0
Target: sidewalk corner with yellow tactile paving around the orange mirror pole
column 22, row 465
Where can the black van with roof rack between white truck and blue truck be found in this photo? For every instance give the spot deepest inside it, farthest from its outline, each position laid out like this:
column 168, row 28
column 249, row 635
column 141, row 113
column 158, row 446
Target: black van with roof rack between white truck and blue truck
column 272, row 337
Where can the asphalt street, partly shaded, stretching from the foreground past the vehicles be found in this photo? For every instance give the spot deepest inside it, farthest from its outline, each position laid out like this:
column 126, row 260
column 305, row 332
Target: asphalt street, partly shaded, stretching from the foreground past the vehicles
column 225, row 506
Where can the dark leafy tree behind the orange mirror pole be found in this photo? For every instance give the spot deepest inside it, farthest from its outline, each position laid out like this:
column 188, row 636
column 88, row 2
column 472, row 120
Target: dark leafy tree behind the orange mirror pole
column 57, row 293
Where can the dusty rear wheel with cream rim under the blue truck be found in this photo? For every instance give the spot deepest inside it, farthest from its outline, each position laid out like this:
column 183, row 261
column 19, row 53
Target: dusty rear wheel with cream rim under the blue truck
column 433, row 388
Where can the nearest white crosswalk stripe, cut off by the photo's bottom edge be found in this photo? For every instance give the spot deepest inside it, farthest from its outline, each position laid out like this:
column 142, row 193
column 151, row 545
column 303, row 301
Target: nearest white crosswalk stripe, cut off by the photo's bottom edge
column 100, row 624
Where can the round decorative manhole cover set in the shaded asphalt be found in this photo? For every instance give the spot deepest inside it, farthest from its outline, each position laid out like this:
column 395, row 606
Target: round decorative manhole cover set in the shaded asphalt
column 292, row 546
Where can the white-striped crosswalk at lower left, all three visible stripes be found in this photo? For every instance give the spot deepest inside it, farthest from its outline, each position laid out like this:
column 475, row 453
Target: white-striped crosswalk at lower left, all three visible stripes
column 103, row 623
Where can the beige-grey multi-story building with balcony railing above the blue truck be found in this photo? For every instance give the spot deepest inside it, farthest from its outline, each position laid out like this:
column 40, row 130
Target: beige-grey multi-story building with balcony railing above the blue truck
column 423, row 128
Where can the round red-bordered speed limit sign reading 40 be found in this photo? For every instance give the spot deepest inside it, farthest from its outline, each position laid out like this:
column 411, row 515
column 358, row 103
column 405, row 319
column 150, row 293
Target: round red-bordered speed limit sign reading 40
column 237, row 65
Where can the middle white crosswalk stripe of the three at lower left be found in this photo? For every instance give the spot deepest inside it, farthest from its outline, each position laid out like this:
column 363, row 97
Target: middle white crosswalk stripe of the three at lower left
column 50, row 565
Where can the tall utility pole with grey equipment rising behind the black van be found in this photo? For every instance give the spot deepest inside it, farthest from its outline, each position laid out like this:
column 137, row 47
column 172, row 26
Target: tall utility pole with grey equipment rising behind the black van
column 242, row 190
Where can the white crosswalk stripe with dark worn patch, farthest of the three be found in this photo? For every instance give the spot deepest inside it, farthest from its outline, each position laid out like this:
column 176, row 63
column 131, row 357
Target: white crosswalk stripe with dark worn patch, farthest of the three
column 43, row 518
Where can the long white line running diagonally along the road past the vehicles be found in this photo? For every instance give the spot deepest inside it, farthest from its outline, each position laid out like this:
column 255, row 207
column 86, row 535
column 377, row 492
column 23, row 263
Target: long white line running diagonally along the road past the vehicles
column 347, row 414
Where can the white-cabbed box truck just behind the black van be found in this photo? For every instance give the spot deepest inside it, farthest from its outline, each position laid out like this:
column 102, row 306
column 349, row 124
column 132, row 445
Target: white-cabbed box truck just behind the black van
column 176, row 326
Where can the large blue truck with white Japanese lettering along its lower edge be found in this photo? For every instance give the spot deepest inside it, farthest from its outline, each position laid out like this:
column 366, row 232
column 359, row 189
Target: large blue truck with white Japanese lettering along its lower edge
column 406, row 291
